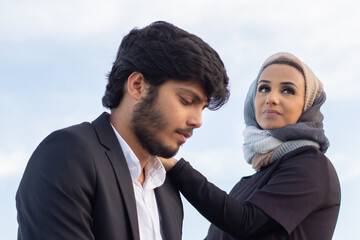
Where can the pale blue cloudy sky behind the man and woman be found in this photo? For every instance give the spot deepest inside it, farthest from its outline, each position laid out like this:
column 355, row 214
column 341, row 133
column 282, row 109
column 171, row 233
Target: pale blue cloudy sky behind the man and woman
column 55, row 55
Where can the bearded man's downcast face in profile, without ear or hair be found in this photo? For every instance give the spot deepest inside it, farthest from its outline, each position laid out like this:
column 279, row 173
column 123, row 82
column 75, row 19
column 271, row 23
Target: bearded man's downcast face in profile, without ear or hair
column 165, row 118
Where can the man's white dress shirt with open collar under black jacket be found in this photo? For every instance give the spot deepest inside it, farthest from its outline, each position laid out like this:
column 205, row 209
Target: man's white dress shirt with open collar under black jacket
column 146, row 206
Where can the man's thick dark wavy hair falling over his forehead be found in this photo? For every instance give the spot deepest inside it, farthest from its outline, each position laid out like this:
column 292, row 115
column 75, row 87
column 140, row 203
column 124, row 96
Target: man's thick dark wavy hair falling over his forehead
column 162, row 51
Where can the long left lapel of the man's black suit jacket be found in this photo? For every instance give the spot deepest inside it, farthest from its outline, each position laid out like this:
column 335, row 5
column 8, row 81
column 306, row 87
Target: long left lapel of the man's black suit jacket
column 108, row 138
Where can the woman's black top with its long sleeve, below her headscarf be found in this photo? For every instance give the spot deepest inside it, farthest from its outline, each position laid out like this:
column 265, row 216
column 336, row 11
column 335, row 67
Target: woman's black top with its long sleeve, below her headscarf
column 297, row 197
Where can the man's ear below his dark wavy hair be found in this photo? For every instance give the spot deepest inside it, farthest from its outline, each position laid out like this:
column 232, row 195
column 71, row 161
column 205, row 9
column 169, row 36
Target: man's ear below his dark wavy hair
column 136, row 86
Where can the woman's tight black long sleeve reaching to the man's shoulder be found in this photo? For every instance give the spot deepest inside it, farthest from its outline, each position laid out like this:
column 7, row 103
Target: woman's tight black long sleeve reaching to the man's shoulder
column 230, row 215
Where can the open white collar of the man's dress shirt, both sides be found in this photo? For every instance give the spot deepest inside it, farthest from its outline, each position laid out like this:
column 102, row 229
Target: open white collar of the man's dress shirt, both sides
column 155, row 173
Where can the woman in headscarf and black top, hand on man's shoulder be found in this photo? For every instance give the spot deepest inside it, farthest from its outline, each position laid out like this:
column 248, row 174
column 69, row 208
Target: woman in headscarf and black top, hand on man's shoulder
column 295, row 192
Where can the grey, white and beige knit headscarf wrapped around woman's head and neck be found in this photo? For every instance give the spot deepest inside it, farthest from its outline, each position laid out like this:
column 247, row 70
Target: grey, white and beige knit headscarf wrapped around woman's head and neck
column 263, row 147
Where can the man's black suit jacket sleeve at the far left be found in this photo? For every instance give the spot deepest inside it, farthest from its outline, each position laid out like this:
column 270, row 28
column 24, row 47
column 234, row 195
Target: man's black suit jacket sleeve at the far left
column 55, row 194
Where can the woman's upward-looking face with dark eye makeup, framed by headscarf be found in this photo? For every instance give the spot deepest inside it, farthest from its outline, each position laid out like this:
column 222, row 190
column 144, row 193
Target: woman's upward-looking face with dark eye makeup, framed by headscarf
column 280, row 96
